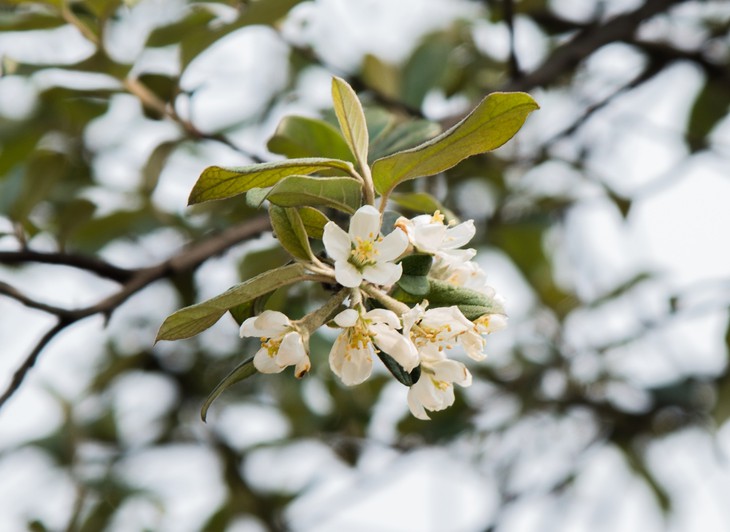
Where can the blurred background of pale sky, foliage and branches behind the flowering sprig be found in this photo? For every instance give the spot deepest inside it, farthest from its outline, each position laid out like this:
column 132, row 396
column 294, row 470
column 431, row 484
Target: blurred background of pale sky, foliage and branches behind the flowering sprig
column 604, row 223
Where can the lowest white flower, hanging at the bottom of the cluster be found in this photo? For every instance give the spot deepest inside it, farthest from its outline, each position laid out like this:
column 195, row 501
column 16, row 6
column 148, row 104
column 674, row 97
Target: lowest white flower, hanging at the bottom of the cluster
column 435, row 388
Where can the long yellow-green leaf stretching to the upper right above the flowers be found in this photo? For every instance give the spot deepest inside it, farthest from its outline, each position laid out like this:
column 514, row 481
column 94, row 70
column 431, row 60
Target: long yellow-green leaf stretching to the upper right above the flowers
column 495, row 120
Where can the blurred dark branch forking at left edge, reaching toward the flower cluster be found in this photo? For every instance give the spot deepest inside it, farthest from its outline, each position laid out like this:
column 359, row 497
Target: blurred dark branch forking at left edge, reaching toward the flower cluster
column 188, row 259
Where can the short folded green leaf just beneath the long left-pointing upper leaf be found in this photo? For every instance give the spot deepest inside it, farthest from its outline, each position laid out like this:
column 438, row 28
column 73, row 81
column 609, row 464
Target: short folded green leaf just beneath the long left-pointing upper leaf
column 340, row 193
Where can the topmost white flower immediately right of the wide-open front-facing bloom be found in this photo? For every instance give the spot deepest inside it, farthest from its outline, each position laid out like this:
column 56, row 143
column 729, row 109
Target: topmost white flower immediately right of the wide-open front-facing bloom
column 429, row 234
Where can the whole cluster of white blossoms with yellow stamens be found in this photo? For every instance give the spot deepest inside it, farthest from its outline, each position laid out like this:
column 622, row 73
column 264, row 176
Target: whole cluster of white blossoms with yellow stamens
column 418, row 338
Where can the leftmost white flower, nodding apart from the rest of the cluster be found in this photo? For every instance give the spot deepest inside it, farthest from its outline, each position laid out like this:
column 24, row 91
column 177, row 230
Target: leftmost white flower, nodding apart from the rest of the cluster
column 281, row 344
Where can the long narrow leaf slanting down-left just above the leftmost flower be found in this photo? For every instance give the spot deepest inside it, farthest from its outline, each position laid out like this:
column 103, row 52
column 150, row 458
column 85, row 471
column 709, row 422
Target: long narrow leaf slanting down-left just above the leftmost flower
column 194, row 319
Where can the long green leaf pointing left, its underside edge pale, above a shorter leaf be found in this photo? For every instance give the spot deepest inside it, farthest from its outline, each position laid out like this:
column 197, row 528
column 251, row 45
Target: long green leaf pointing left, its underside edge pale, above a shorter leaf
column 220, row 183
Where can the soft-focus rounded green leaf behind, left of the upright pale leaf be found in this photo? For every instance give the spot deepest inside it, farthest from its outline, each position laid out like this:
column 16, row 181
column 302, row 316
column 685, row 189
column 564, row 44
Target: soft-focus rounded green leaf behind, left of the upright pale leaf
column 298, row 136
